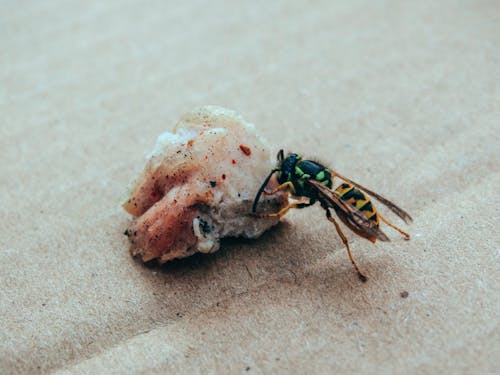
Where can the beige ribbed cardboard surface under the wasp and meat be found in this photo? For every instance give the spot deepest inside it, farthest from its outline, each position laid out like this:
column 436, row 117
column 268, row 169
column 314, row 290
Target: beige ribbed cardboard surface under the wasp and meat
column 402, row 97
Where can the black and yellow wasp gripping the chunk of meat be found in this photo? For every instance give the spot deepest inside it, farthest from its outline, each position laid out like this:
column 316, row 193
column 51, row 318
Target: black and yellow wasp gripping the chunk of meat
column 309, row 180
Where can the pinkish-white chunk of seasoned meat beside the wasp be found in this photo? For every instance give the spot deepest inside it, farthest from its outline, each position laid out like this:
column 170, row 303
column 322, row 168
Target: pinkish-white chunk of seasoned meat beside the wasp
column 198, row 187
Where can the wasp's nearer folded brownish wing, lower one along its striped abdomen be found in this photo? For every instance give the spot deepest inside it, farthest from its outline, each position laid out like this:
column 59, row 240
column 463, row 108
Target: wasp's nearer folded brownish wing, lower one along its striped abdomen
column 355, row 218
